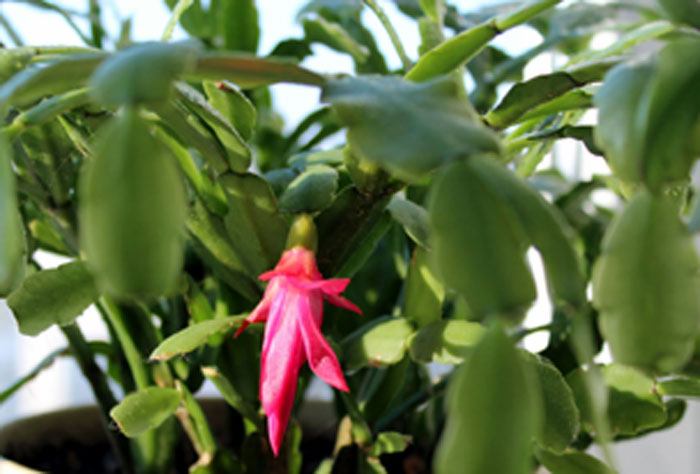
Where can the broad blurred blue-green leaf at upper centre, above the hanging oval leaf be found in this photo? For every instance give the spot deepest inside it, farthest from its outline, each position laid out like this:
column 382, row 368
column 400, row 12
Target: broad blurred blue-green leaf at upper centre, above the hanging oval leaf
column 383, row 113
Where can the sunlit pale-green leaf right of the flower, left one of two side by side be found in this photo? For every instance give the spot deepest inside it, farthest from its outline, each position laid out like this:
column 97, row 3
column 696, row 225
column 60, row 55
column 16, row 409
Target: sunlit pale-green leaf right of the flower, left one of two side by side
column 379, row 343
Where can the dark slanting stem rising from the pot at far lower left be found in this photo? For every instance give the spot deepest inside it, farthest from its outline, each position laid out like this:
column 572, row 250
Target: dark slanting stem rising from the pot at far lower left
column 104, row 396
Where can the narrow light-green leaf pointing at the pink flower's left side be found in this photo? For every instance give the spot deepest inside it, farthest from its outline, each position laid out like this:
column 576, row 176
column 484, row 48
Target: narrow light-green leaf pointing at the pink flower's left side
column 191, row 337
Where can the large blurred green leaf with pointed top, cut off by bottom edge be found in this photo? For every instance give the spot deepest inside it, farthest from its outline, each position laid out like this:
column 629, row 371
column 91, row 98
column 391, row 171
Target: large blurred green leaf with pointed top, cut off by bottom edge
column 493, row 412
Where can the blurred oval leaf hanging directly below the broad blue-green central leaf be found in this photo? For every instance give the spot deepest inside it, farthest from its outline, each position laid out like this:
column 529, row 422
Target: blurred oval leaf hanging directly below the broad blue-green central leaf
column 479, row 242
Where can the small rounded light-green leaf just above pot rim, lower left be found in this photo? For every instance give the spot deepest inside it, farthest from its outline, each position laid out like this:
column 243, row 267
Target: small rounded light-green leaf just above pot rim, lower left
column 145, row 409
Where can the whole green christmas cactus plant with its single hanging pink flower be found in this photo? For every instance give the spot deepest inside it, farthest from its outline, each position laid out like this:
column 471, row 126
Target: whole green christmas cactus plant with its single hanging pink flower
column 188, row 211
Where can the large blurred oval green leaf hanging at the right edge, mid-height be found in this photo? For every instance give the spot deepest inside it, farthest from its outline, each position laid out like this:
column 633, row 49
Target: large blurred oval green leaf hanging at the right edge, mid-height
column 647, row 288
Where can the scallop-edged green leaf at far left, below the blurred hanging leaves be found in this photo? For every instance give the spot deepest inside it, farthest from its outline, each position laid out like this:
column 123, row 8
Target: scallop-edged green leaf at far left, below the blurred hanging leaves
column 56, row 296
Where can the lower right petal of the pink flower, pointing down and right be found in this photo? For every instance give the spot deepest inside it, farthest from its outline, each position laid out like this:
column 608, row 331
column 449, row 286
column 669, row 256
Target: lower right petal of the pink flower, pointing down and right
column 321, row 357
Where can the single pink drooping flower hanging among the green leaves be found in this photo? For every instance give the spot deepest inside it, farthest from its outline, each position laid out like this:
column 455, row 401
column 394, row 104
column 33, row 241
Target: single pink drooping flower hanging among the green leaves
column 293, row 308
